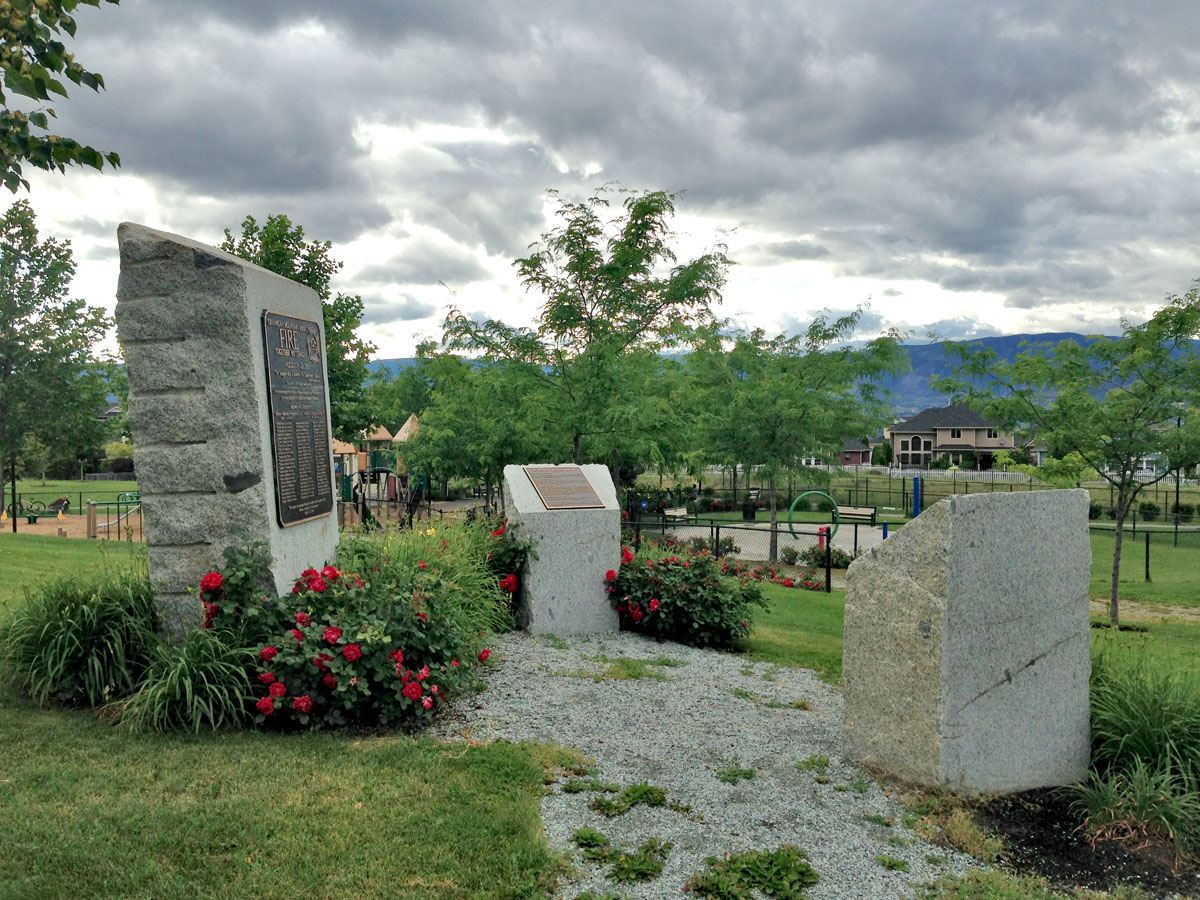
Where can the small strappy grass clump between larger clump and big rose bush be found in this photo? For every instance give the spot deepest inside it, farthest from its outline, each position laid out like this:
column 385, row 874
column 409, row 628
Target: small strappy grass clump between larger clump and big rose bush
column 201, row 683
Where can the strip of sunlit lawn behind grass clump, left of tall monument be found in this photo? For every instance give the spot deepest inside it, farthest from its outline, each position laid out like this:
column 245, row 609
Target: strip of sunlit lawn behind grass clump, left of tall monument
column 28, row 559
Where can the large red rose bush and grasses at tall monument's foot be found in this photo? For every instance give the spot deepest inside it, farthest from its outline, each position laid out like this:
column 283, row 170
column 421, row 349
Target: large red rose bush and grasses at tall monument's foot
column 386, row 637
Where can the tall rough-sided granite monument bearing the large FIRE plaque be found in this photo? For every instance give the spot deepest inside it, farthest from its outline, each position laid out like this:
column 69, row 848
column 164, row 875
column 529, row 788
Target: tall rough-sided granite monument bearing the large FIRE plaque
column 229, row 410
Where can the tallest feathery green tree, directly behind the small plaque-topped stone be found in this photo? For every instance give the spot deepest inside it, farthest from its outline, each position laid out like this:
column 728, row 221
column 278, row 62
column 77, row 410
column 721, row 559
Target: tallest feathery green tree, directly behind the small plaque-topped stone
column 613, row 291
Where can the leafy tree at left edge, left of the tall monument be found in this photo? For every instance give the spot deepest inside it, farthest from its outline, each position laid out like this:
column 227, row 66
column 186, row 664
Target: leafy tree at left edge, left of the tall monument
column 50, row 383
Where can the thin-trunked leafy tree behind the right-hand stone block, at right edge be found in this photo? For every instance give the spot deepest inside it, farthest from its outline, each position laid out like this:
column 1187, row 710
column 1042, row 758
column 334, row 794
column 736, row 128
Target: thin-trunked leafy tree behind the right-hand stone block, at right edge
column 1106, row 406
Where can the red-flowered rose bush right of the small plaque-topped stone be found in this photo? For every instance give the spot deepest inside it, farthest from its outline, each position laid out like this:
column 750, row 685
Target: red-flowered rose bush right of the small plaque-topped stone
column 683, row 598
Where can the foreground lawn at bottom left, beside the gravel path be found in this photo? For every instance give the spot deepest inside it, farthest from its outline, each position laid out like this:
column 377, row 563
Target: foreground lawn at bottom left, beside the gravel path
column 93, row 812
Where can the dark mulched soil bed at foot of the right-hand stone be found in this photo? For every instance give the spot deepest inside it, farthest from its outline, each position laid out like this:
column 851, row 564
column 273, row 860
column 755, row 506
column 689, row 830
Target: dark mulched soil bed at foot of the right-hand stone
column 1041, row 837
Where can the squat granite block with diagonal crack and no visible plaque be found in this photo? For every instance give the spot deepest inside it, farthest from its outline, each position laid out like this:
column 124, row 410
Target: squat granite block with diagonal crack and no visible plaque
column 967, row 652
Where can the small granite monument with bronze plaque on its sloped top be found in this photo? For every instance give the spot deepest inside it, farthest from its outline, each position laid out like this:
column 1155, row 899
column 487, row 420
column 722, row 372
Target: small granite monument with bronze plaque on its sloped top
column 571, row 514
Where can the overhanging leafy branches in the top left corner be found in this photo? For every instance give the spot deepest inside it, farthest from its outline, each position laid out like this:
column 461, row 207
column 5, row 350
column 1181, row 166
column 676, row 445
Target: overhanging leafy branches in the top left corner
column 31, row 58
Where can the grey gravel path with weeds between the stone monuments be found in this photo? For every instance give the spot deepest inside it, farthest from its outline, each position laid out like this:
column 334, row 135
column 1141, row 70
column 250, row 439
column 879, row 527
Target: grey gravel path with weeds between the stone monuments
column 711, row 712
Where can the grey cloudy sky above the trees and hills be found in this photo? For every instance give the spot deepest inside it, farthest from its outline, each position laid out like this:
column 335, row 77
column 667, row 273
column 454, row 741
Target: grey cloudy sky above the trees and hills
column 967, row 169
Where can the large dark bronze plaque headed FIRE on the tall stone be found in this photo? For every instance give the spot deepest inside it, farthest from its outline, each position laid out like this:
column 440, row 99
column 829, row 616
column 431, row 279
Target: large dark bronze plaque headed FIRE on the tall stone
column 301, row 446
